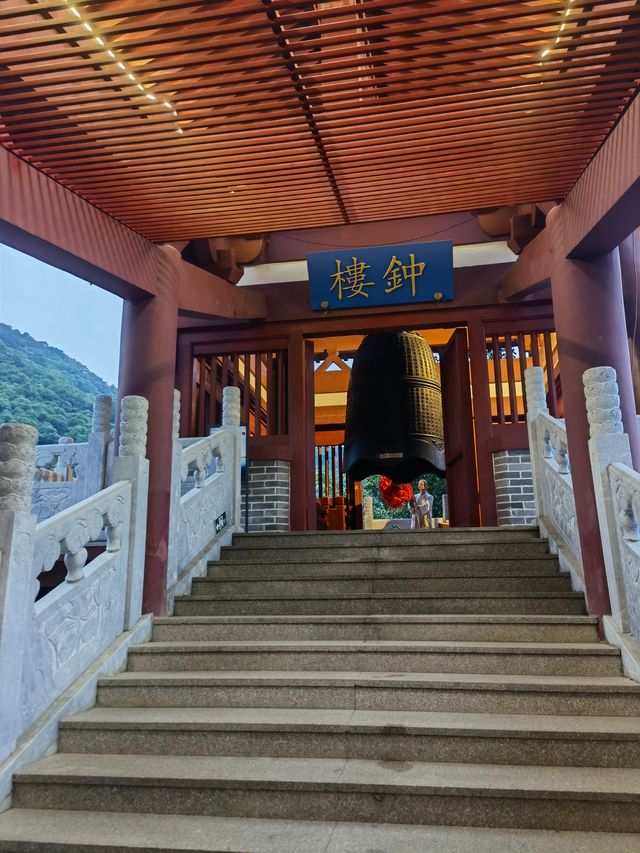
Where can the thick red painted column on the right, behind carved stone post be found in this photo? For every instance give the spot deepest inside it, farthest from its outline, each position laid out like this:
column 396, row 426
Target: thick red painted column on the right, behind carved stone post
column 590, row 324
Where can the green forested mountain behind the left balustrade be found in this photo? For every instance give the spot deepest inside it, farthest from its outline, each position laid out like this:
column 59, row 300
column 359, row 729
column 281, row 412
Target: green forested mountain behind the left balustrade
column 42, row 386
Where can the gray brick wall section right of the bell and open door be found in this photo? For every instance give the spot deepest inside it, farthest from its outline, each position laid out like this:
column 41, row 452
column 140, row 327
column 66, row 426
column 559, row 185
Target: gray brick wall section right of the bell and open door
column 514, row 487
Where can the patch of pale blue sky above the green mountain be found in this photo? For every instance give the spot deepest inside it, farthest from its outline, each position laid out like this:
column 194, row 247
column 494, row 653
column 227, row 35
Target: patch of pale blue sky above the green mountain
column 68, row 313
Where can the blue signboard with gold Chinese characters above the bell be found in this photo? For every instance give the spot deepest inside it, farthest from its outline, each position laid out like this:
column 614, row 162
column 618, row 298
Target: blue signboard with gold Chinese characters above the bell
column 381, row 275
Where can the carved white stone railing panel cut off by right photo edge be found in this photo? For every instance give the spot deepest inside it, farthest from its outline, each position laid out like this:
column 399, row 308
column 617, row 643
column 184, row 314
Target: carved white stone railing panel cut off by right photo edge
column 625, row 492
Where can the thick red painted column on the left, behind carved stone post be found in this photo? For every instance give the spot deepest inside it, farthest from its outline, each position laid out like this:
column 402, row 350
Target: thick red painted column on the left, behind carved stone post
column 147, row 368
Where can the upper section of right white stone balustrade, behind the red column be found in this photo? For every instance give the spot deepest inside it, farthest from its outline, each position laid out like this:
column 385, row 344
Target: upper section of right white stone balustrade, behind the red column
column 553, row 489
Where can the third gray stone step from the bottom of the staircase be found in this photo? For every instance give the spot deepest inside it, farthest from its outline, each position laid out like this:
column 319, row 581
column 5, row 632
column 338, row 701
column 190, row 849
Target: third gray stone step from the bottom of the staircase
column 371, row 735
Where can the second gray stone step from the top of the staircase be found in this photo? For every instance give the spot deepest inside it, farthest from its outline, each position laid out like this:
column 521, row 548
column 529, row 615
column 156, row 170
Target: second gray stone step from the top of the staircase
column 421, row 554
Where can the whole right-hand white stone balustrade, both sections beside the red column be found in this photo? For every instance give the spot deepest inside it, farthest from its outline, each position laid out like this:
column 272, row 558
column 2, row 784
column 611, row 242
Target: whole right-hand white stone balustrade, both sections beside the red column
column 617, row 495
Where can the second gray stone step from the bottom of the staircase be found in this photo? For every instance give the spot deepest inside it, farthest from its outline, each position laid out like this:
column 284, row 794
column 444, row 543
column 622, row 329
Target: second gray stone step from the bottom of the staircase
column 499, row 796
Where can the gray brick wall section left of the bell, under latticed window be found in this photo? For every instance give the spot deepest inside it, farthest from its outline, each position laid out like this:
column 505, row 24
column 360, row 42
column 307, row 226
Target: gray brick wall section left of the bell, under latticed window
column 269, row 496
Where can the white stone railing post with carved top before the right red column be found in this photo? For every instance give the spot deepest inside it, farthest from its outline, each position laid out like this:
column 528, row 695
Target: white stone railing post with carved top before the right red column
column 608, row 444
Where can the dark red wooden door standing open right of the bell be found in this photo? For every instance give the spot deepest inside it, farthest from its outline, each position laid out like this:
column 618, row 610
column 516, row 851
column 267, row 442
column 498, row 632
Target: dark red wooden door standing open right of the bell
column 460, row 454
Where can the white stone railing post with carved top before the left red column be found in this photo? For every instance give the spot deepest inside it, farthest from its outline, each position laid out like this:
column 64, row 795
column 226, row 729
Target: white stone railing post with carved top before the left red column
column 131, row 464
